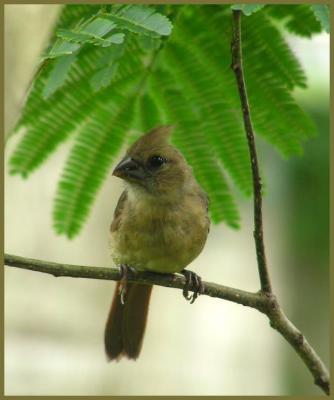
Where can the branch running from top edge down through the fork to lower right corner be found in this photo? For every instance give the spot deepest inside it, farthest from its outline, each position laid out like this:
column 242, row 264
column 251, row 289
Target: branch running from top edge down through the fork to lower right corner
column 277, row 318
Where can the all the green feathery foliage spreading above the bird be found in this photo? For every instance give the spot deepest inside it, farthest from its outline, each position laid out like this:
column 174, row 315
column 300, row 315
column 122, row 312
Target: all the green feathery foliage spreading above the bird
column 114, row 72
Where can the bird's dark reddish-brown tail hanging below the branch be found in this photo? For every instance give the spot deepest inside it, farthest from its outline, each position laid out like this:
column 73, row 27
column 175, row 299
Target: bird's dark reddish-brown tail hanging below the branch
column 126, row 322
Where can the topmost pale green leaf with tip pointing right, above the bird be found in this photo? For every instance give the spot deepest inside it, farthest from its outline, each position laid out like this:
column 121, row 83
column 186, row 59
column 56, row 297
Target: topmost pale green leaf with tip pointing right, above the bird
column 141, row 20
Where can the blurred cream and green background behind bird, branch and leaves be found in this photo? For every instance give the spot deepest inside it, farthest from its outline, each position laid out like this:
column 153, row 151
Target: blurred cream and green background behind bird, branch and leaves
column 54, row 327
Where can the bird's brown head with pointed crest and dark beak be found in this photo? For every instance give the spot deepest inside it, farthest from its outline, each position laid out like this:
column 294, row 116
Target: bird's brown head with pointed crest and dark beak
column 154, row 166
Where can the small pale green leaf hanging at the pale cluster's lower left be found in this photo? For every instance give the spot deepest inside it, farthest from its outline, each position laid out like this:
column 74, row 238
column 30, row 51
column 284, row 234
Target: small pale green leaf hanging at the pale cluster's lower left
column 58, row 75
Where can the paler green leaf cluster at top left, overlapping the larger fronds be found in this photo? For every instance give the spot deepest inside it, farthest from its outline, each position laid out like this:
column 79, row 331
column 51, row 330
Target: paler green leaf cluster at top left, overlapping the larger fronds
column 101, row 29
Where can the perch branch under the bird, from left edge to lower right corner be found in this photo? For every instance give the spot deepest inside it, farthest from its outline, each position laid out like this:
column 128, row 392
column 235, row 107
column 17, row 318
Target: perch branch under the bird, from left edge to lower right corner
column 260, row 301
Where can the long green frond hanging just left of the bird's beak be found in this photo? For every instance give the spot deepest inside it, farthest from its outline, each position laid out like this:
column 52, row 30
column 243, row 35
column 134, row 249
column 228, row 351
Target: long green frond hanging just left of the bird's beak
column 90, row 159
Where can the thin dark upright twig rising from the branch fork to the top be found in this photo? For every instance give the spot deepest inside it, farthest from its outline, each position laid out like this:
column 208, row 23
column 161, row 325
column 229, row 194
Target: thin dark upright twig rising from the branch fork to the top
column 258, row 231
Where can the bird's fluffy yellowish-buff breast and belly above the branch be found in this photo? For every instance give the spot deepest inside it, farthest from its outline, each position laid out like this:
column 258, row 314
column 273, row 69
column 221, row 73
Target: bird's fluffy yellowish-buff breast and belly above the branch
column 159, row 238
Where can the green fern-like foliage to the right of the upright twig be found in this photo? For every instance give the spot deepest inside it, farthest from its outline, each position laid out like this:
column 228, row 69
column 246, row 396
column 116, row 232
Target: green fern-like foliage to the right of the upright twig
column 276, row 115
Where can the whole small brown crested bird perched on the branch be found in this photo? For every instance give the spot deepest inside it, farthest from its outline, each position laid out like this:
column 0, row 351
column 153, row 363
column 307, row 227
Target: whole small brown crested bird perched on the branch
column 160, row 224
